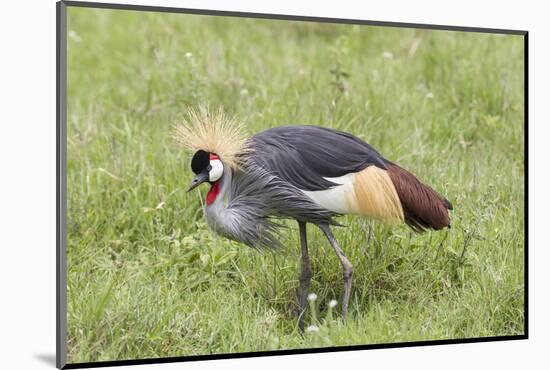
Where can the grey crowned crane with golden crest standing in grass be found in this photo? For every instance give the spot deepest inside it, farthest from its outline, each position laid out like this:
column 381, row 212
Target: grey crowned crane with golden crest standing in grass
column 306, row 173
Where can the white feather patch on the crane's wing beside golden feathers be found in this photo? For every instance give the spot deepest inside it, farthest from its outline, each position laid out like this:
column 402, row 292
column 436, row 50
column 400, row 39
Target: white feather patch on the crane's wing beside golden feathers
column 339, row 199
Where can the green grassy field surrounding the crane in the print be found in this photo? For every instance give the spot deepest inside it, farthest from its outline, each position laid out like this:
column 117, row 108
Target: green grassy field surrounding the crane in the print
column 147, row 278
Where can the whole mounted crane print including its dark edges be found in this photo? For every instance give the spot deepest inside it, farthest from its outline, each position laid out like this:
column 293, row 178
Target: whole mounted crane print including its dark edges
column 235, row 184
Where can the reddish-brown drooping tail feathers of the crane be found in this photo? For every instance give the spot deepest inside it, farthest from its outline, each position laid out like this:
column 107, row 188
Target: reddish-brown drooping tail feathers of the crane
column 423, row 207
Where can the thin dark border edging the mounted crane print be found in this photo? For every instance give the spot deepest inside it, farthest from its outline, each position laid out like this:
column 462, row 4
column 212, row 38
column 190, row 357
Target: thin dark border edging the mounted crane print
column 61, row 186
